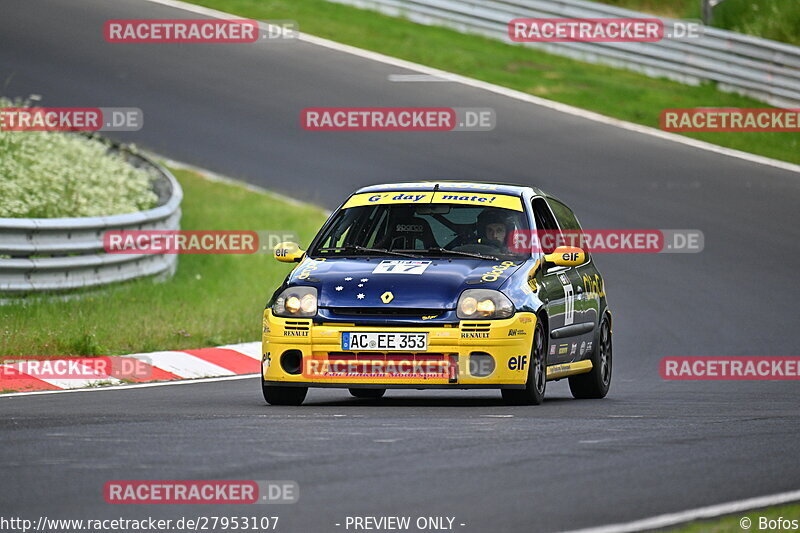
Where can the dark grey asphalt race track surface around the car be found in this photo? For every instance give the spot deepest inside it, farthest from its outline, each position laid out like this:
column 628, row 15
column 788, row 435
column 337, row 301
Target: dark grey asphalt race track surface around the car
column 651, row 447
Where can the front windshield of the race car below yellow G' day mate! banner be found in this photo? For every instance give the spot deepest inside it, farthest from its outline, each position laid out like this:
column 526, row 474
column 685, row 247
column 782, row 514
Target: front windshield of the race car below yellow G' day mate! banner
column 421, row 231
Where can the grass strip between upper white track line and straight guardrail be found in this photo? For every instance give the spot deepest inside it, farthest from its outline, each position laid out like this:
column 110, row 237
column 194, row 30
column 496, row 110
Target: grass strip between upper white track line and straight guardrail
column 616, row 93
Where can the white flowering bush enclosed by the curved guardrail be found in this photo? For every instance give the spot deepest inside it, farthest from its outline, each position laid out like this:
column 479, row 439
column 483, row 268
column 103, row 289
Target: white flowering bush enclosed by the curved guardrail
column 56, row 174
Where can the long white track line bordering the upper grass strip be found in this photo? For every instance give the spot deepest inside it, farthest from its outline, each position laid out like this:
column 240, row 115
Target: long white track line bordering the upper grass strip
column 504, row 91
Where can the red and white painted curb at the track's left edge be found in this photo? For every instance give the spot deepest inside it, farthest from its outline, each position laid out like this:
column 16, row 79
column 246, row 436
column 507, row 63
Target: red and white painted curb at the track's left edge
column 229, row 360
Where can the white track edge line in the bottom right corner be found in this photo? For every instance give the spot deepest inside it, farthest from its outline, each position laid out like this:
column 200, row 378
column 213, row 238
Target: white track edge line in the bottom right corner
column 712, row 511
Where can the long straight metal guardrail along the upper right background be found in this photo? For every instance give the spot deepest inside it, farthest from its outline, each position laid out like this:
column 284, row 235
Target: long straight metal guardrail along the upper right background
column 766, row 70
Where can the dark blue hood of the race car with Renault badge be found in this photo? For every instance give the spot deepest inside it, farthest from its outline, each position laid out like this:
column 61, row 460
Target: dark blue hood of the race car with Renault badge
column 437, row 284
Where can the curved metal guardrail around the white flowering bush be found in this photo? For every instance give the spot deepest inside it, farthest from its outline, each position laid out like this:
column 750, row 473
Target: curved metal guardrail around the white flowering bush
column 56, row 254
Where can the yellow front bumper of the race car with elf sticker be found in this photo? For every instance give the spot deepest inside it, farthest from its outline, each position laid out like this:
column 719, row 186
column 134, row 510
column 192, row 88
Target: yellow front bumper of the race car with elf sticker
column 455, row 356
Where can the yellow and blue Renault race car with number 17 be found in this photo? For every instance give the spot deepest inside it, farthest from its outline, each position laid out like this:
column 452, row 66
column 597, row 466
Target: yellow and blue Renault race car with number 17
column 425, row 285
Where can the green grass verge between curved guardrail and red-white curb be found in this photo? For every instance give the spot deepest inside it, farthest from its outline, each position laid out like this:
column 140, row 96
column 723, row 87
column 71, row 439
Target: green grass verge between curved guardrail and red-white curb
column 212, row 300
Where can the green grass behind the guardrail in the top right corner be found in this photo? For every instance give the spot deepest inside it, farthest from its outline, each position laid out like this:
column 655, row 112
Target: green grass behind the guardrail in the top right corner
column 778, row 20
